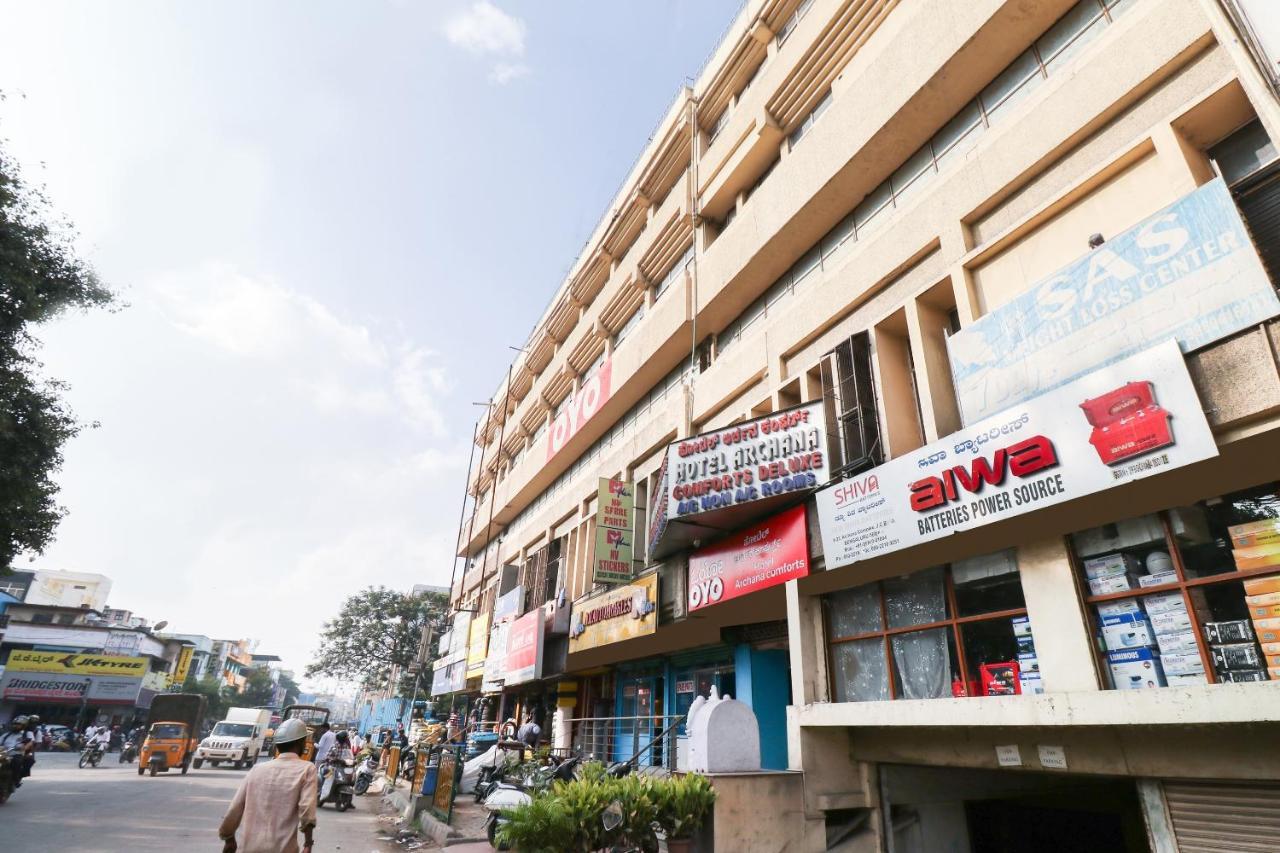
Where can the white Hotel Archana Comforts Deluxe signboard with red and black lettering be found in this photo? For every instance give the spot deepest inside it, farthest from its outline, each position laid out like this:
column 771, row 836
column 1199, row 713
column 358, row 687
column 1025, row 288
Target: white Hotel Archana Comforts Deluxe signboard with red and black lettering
column 749, row 462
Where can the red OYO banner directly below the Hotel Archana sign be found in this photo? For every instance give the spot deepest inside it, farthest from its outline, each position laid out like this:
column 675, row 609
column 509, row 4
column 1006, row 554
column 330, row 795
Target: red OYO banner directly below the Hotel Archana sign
column 766, row 555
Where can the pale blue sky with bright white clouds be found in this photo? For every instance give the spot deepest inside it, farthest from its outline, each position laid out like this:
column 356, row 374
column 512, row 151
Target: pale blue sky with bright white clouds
column 327, row 222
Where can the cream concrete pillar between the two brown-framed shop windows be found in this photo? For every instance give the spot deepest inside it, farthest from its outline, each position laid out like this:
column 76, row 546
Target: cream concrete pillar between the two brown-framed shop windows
column 1057, row 614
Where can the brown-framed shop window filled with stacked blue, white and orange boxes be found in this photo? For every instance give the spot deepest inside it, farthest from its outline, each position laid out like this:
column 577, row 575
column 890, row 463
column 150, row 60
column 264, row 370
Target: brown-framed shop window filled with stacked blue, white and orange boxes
column 1187, row 596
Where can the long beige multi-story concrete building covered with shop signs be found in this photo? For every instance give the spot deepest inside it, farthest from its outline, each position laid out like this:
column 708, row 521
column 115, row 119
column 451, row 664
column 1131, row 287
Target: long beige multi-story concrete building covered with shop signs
column 976, row 286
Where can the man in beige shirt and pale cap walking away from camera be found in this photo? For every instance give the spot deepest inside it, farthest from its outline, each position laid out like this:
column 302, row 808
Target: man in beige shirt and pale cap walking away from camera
column 276, row 801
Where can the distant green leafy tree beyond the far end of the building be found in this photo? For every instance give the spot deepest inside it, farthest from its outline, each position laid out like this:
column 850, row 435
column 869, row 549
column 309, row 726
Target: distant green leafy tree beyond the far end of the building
column 376, row 631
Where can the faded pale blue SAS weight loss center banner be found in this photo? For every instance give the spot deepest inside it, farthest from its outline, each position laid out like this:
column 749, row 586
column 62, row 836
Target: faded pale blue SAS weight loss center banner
column 1188, row 273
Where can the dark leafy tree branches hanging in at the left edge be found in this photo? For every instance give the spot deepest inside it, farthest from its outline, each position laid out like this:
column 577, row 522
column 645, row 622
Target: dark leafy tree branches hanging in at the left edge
column 40, row 277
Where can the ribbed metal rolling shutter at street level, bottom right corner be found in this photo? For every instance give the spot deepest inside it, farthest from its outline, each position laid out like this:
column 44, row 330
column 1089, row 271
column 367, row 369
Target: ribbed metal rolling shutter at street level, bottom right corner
column 1224, row 818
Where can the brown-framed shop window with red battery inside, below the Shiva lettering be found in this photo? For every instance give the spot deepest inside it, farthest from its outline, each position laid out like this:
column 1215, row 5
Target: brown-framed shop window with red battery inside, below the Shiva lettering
column 947, row 632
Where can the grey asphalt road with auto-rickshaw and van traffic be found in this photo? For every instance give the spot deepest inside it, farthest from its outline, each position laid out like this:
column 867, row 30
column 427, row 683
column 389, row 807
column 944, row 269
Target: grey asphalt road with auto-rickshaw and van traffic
column 67, row 810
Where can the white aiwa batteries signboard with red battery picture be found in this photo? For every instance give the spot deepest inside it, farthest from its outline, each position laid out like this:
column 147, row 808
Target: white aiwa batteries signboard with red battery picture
column 1127, row 422
